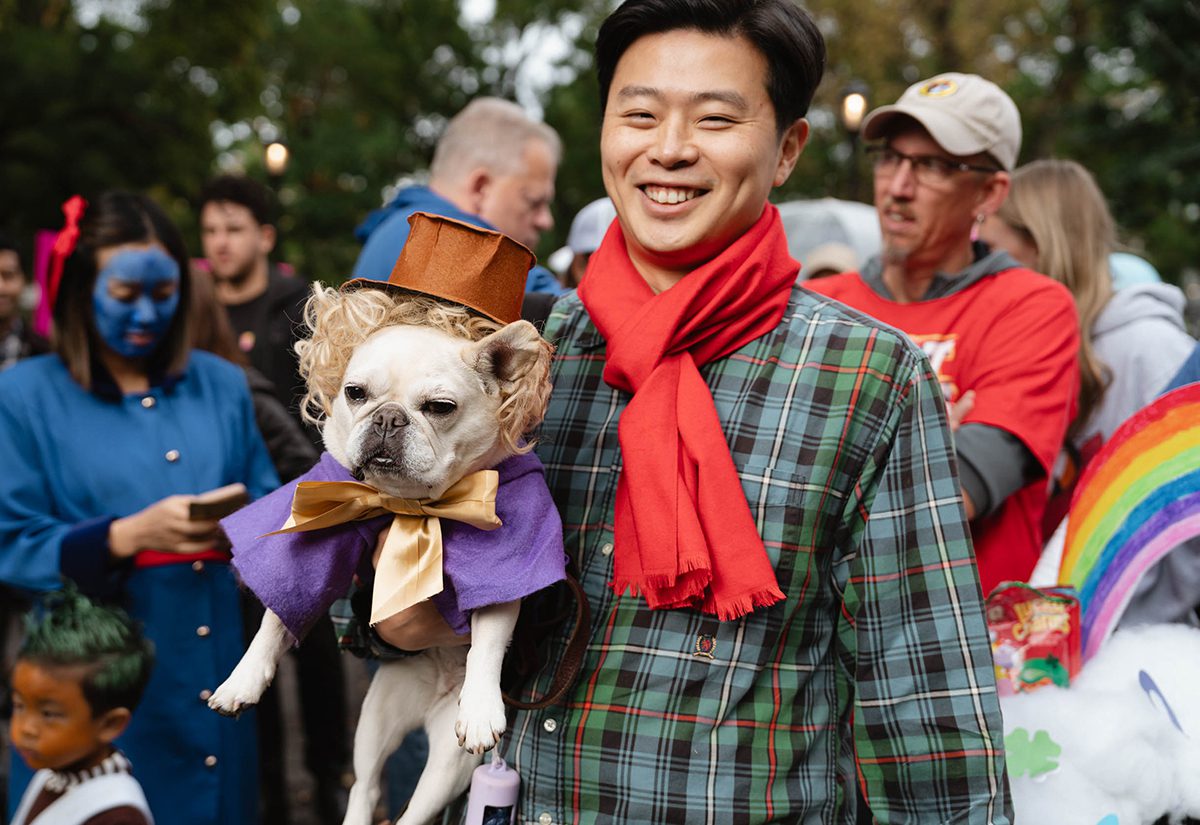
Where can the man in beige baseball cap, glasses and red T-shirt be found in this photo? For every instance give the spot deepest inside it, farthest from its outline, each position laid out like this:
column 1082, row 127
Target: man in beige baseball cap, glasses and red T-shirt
column 1001, row 339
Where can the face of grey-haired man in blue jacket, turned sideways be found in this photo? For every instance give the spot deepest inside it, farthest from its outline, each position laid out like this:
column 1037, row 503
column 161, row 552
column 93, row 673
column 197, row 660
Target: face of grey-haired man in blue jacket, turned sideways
column 519, row 204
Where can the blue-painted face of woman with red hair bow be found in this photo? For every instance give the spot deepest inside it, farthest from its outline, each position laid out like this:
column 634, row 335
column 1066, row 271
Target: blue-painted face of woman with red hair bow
column 135, row 300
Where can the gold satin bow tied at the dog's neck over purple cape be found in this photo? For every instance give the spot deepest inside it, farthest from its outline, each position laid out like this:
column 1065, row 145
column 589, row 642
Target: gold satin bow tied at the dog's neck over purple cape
column 410, row 569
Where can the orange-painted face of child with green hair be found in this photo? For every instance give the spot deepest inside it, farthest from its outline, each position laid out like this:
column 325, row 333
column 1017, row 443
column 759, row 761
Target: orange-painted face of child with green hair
column 52, row 722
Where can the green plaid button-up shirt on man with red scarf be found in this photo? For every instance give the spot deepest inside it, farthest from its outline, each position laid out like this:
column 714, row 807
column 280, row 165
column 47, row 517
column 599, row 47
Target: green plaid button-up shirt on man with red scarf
column 877, row 670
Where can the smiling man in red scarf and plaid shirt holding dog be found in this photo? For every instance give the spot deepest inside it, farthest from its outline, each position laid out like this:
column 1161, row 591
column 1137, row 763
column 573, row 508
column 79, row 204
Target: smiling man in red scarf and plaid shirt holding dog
column 758, row 486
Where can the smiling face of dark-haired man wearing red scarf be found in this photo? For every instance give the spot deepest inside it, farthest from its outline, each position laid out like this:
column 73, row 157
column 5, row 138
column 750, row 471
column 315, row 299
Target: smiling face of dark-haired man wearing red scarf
column 689, row 146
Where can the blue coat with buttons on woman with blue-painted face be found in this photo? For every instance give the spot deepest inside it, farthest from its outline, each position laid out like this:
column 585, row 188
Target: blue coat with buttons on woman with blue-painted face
column 71, row 462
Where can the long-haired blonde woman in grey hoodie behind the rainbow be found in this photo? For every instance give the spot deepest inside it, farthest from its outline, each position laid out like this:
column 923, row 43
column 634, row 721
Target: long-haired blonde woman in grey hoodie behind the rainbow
column 1058, row 222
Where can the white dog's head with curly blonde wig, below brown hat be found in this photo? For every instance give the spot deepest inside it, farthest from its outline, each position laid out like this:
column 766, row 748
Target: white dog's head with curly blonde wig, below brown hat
column 415, row 394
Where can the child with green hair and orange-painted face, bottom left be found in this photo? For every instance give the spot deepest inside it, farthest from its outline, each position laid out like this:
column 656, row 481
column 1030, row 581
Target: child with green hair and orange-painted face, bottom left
column 80, row 675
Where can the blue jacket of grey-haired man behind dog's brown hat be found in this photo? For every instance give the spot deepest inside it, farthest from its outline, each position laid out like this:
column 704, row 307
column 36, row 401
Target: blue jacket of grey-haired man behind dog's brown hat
column 385, row 233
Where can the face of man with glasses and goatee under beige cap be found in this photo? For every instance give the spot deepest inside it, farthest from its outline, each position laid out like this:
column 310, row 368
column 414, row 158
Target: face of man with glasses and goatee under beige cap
column 926, row 224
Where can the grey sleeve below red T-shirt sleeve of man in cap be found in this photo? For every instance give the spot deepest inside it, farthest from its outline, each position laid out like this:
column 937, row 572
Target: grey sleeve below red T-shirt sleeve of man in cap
column 993, row 466
